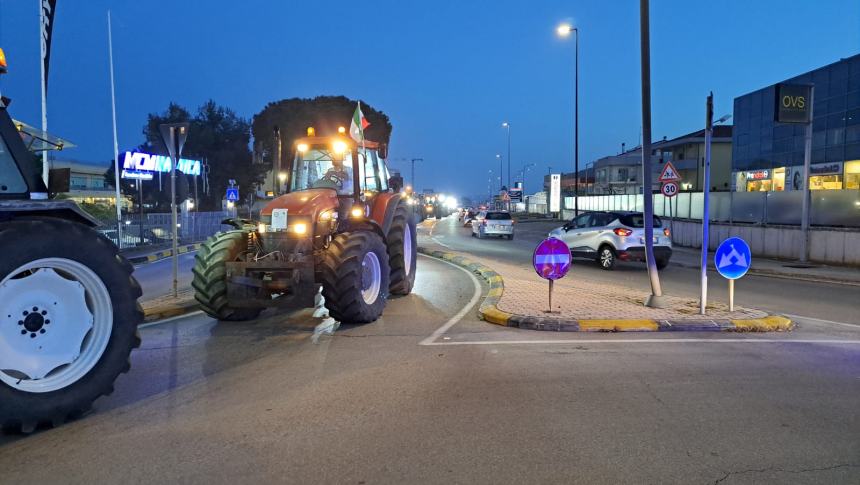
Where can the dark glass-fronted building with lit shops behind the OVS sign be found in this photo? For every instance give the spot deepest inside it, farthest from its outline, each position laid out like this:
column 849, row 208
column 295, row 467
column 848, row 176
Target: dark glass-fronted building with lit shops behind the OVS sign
column 768, row 156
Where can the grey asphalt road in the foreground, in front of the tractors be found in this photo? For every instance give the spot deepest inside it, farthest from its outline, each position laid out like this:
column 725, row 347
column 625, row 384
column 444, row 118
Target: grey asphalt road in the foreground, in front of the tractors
column 429, row 394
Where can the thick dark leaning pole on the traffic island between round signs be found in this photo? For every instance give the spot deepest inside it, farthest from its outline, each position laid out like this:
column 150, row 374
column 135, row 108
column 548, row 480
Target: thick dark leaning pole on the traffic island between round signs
column 656, row 297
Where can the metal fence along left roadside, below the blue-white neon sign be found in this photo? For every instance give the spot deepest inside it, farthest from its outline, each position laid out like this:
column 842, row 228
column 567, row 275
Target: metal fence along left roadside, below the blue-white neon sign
column 154, row 229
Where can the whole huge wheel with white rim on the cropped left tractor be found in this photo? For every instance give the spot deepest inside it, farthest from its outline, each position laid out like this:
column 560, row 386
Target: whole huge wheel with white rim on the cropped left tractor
column 68, row 320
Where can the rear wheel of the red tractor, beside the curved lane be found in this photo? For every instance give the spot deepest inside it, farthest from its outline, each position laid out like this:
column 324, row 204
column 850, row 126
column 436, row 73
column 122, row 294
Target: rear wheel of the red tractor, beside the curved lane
column 402, row 251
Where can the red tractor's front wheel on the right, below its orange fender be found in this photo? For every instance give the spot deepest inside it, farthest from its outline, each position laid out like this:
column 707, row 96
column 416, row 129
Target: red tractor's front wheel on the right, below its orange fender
column 344, row 270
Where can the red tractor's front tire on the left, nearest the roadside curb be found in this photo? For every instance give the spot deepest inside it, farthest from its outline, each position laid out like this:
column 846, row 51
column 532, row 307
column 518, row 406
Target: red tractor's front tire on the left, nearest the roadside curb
column 210, row 275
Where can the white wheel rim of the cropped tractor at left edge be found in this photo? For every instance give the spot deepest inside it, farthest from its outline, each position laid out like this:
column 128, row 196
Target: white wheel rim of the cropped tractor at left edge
column 57, row 344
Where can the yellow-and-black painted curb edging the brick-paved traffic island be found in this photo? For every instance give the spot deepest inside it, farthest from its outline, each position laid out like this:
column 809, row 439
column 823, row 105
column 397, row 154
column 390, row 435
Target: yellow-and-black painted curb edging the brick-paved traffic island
column 490, row 312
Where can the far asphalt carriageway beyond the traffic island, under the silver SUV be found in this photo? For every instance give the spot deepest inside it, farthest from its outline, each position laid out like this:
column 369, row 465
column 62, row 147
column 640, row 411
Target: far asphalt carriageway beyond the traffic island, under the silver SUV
column 793, row 297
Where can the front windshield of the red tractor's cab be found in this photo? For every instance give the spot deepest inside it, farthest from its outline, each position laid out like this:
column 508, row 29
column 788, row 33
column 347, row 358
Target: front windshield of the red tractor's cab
column 321, row 168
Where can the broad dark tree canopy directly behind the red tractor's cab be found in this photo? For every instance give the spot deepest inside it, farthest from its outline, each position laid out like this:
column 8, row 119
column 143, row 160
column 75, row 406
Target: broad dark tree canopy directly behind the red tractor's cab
column 325, row 113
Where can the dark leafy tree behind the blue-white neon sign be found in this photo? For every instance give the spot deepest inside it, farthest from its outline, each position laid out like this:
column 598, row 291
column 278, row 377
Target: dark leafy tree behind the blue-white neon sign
column 217, row 137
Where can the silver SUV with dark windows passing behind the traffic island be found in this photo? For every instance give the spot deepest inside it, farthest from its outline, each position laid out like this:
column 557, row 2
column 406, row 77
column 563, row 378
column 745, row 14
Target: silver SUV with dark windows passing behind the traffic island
column 613, row 235
